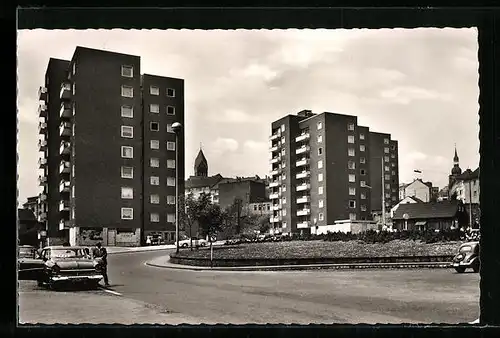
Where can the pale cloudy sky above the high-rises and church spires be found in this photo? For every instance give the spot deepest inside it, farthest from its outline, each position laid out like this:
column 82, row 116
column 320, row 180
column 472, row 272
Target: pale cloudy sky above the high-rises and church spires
column 420, row 85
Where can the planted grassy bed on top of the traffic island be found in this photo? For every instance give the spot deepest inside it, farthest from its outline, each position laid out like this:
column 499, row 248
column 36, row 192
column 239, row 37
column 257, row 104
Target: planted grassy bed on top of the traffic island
column 324, row 249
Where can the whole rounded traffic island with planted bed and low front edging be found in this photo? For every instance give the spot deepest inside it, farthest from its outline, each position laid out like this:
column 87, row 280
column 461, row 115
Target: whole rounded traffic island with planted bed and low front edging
column 317, row 255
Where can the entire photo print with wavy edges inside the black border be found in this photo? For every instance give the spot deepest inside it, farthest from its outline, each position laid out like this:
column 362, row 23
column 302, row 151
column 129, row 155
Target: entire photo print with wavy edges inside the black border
column 284, row 176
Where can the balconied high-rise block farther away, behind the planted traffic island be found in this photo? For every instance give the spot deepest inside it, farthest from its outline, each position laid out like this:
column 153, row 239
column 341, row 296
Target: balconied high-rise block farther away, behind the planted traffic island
column 326, row 168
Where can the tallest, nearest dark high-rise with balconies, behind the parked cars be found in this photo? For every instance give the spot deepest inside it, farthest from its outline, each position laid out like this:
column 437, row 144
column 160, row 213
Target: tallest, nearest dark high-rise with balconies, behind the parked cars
column 108, row 150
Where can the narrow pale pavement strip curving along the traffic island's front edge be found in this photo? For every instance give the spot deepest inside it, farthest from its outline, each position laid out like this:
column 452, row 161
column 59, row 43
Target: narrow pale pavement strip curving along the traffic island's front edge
column 164, row 262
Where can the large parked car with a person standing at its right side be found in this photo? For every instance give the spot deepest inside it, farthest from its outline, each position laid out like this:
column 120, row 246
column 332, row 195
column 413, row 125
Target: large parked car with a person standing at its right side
column 73, row 264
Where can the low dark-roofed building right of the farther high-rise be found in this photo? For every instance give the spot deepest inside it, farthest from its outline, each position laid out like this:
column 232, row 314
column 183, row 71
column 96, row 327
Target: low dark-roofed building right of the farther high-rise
column 430, row 216
